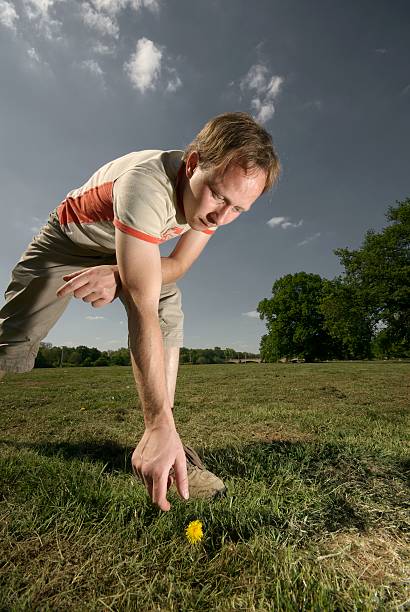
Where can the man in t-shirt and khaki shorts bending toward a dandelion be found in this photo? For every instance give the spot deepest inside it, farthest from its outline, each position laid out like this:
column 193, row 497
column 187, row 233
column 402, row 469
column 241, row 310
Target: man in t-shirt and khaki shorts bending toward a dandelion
column 110, row 229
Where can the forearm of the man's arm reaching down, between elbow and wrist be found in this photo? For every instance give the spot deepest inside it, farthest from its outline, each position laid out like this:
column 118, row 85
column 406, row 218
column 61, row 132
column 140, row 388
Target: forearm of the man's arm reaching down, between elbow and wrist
column 147, row 354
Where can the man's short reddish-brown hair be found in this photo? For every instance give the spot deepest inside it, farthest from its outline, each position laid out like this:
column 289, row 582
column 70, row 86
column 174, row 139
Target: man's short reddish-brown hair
column 236, row 138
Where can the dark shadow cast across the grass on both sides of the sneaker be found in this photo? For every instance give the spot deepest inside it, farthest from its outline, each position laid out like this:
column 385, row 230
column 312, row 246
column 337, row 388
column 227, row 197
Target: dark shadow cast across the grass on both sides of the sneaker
column 320, row 480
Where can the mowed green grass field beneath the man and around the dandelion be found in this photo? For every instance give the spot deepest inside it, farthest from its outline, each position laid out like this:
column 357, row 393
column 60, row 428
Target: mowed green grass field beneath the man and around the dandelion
column 315, row 458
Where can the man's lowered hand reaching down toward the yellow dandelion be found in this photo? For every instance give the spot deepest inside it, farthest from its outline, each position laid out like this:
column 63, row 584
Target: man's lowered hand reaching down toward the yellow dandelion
column 160, row 449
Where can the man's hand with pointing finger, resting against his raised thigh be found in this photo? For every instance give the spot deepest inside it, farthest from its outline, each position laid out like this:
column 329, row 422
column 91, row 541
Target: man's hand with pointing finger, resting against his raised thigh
column 98, row 285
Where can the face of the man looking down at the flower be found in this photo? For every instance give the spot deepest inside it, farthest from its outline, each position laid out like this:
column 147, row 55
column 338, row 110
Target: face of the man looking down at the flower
column 212, row 199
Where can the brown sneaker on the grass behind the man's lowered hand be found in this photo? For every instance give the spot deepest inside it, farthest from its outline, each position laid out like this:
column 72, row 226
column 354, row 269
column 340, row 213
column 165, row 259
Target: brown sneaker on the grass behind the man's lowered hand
column 202, row 483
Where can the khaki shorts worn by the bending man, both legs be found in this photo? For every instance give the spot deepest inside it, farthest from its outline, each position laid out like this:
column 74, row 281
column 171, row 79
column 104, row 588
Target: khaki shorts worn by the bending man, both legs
column 32, row 307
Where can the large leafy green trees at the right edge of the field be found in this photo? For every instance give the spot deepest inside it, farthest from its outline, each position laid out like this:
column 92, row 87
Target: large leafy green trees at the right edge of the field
column 363, row 313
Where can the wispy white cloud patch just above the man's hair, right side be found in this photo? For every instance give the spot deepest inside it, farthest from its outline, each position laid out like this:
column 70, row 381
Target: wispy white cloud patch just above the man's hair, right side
column 264, row 89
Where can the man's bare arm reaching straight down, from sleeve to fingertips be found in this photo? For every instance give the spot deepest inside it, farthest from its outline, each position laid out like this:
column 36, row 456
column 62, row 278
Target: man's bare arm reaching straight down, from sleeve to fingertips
column 160, row 448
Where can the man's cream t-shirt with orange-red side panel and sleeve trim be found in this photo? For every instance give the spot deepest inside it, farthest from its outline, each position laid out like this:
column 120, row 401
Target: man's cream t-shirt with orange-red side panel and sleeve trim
column 135, row 193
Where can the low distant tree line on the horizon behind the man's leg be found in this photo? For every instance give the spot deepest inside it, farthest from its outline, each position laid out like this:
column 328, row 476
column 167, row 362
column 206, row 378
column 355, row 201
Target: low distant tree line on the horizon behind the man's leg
column 50, row 356
